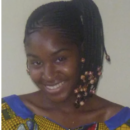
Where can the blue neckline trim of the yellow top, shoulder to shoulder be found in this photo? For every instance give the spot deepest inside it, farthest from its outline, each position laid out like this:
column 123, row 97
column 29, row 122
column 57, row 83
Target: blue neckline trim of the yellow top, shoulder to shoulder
column 24, row 112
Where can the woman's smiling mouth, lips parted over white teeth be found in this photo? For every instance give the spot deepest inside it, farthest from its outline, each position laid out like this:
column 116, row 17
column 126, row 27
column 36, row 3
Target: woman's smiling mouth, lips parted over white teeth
column 54, row 88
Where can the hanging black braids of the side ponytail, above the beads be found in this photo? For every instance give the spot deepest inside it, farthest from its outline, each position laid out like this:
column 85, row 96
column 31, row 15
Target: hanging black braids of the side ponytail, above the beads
column 93, row 36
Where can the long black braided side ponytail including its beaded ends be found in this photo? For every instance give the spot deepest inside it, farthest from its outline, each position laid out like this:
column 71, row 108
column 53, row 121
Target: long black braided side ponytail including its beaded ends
column 95, row 49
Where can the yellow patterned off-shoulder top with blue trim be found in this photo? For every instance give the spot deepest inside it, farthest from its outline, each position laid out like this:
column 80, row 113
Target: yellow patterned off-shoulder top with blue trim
column 14, row 120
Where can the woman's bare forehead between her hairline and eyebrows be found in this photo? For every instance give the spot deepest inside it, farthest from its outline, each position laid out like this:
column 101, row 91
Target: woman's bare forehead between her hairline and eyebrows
column 49, row 40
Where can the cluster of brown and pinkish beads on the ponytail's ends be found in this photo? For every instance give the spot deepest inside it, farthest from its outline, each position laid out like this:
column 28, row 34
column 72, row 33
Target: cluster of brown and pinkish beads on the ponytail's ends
column 87, row 85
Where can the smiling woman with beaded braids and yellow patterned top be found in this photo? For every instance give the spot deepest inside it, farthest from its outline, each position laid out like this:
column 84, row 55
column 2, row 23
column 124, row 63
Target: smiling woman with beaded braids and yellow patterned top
column 64, row 46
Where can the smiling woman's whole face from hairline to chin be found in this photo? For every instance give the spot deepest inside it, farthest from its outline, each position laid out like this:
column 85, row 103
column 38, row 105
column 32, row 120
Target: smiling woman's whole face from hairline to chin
column 53, row 64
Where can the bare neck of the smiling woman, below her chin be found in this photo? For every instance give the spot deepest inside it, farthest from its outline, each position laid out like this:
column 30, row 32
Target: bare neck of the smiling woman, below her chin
column 66, row 106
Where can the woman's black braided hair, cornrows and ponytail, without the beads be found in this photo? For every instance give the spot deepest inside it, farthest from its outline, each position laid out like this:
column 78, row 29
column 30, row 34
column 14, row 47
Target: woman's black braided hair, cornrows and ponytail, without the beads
column 77, row 20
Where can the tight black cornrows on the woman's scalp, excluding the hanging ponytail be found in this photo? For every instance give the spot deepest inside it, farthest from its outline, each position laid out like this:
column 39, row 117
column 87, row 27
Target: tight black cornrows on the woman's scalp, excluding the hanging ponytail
column 61, row 16
